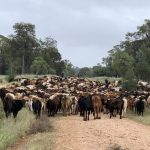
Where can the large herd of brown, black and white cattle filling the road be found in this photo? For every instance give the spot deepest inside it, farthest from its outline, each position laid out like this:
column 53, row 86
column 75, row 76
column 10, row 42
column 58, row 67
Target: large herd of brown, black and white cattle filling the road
column 72, row 96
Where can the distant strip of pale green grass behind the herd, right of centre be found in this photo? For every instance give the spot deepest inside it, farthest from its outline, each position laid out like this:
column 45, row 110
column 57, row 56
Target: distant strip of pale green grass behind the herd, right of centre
column 102, row 79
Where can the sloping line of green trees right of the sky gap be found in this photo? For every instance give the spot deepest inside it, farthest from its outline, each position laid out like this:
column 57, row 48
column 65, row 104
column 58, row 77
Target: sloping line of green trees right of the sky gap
column 129, row 59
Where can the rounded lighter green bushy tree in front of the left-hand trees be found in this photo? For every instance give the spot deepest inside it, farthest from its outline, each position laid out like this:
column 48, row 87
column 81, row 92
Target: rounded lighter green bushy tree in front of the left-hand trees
column 39, row 66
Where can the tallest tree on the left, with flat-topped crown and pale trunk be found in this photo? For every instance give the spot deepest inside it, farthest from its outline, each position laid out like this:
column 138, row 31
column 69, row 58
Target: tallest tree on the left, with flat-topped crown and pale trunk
column 24, row 42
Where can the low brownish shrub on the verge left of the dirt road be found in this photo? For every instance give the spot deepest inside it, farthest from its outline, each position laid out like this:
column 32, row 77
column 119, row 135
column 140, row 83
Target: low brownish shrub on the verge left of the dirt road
column 40, row 125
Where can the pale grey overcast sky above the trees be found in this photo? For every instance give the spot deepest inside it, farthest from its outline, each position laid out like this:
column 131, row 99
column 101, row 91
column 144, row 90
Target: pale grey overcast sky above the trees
column 84, row 29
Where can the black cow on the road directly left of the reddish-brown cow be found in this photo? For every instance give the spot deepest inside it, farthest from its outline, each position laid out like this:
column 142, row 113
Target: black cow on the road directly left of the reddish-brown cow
column 85, row 106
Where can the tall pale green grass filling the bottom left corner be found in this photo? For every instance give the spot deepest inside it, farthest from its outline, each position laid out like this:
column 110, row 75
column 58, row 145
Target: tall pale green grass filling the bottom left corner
column 11, row 130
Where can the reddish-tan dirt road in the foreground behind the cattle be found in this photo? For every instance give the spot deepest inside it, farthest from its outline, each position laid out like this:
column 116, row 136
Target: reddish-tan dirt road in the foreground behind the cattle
column 71, row 133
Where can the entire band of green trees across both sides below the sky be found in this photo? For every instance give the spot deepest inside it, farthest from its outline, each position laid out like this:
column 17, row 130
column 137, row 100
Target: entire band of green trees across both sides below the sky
column 22, row 52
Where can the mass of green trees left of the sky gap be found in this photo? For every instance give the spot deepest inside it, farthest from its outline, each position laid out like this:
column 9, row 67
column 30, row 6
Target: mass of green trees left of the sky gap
column 23, row 53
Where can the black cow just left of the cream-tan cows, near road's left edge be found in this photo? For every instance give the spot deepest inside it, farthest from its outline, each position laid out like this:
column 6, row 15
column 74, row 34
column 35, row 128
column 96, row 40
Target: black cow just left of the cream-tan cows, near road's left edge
column 51, row 107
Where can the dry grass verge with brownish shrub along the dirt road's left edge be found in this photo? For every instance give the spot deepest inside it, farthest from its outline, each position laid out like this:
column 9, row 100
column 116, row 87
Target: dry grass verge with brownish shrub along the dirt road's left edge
column 41, row 137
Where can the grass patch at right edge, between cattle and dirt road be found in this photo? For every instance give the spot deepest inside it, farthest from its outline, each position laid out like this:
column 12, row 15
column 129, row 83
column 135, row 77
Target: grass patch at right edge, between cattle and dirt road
column 144, row 120
